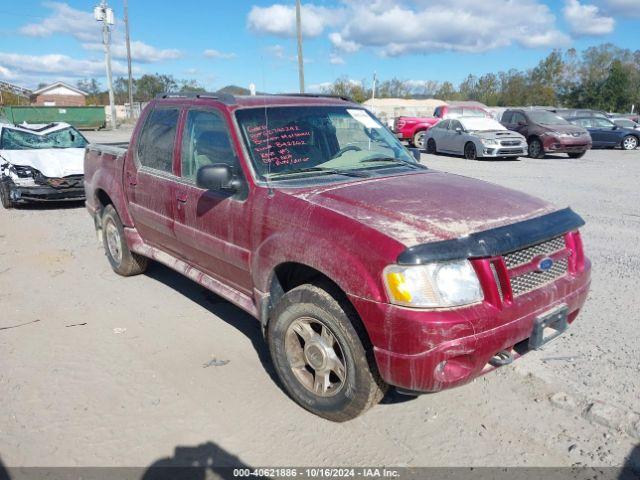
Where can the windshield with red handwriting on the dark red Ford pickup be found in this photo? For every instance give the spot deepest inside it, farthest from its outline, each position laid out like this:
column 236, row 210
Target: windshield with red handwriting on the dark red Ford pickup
column 285, row 141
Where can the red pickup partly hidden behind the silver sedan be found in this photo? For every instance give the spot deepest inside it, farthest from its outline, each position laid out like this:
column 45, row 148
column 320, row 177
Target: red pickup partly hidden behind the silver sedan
column 413, row 129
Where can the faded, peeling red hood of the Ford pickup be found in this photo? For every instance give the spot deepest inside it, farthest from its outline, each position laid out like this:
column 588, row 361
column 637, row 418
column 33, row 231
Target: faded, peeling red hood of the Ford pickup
column 426, row 207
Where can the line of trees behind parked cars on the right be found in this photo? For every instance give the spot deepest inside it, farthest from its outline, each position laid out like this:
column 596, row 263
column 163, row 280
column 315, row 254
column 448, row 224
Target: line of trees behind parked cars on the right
column 603, row 77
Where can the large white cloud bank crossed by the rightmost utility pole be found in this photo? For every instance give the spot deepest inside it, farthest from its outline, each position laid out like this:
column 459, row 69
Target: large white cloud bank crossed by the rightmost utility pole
column 400, row 27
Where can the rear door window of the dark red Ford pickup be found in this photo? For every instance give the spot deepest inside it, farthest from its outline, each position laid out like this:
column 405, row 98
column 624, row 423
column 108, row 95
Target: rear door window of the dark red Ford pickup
column 157, row 139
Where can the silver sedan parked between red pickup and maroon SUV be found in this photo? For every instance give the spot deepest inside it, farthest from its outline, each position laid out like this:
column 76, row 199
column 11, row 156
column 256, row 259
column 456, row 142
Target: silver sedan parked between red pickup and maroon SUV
column 475, row 137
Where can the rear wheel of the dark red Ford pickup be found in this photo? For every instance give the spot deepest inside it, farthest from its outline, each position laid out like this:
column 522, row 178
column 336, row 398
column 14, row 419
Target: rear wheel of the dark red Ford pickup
column 123, row 261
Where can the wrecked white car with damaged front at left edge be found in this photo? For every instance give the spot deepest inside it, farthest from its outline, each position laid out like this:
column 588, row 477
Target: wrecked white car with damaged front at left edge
column 40, row 163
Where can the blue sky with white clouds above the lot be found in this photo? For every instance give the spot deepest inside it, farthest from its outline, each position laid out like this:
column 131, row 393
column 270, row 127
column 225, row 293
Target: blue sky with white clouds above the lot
column 221, row 42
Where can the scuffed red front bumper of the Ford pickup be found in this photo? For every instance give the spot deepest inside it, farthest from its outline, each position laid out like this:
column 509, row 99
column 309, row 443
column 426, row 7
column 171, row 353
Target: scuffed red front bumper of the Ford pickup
column 428, row 351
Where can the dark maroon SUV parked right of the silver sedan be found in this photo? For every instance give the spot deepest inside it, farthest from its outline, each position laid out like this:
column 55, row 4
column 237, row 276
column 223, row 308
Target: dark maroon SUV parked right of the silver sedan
column 546, row 132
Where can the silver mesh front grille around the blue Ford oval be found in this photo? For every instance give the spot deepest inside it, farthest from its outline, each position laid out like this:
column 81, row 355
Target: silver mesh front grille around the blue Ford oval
column 529, row 281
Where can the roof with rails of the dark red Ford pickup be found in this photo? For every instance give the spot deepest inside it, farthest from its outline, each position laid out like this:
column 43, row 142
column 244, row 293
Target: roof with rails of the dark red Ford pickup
column 242, row 101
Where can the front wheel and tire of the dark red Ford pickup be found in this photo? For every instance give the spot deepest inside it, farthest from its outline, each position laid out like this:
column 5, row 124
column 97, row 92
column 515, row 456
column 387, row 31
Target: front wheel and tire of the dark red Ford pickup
column 311, row 326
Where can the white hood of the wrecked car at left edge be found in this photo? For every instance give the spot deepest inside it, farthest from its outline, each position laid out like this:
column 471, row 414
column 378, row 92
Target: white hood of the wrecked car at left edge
column 51, row 162
